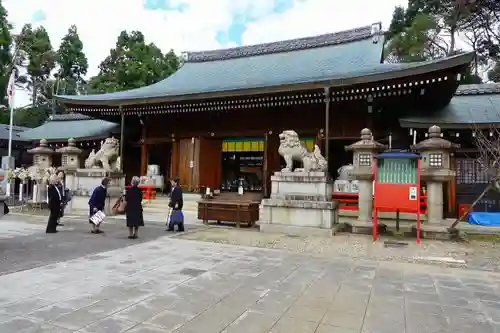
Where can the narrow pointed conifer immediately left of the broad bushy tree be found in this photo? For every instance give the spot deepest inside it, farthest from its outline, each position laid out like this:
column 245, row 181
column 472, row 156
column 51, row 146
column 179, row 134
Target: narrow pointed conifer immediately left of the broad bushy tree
column 73, row 63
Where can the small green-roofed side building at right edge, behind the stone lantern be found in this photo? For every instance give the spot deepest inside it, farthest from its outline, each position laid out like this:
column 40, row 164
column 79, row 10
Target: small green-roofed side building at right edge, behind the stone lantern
column 473, row 107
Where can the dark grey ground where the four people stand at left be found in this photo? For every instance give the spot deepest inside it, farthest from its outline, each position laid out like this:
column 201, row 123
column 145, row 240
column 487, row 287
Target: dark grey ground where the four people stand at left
column 24, row 243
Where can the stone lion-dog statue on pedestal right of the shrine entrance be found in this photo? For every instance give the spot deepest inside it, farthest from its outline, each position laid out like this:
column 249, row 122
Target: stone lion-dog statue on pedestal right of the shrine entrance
column 291, row 149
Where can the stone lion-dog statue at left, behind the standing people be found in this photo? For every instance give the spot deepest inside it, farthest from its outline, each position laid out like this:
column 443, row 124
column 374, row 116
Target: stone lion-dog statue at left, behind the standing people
column 107, row 157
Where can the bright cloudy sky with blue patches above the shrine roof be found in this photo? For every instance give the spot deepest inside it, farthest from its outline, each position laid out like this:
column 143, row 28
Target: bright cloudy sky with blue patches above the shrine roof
column 193, row 25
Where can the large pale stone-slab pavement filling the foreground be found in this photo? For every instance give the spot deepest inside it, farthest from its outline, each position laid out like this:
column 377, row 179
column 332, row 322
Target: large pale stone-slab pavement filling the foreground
column 170, row 284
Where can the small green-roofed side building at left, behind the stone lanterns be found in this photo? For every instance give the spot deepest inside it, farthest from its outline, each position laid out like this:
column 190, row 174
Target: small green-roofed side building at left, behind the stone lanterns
column 86, row 131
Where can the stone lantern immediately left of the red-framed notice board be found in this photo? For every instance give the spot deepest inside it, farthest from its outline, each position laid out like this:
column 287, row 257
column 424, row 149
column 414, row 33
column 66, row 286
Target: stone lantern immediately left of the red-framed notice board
column 363, row 152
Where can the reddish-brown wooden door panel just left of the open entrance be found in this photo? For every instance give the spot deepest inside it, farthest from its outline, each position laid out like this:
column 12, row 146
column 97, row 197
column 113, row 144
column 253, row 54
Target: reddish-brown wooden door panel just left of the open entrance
column 210, row 162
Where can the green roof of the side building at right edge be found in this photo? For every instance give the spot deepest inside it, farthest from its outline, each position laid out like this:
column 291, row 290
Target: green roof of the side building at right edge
column 472, row 104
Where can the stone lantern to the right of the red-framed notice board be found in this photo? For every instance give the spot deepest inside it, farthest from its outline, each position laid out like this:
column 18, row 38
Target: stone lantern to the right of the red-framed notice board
column 436, row 170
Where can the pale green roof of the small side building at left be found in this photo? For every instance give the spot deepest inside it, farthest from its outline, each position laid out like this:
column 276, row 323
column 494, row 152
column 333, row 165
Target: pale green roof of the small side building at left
column 63, row 127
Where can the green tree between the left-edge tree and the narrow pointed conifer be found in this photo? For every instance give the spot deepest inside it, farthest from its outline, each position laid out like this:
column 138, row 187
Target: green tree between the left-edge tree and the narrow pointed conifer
column 38, row 51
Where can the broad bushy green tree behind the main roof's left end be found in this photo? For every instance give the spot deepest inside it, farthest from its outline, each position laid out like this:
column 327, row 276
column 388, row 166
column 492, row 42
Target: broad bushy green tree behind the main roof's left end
column 133, row 63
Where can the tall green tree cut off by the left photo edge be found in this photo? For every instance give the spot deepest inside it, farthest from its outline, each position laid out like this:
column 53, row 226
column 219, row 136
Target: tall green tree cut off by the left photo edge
column 5, row 53
